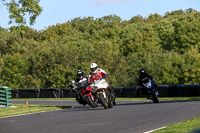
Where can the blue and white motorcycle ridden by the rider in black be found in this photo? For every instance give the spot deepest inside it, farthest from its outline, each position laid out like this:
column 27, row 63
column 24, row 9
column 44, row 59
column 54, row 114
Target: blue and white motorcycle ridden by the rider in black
column 152, row 92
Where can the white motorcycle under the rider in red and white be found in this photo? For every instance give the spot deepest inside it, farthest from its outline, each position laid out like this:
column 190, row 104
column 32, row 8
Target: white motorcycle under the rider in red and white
column 101, row 93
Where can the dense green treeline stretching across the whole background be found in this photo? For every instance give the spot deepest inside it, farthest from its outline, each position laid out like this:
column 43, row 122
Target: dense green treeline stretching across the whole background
column 168, row 47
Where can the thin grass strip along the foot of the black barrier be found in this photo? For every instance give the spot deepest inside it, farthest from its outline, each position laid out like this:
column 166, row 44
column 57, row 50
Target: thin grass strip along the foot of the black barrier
column 160, row 98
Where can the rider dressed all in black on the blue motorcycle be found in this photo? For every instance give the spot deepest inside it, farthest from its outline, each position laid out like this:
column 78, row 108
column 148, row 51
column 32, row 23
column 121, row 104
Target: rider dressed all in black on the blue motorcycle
column 143, row 75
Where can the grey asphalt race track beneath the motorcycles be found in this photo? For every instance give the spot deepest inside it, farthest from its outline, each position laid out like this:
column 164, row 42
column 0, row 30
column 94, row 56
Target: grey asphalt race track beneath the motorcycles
column 125, row 117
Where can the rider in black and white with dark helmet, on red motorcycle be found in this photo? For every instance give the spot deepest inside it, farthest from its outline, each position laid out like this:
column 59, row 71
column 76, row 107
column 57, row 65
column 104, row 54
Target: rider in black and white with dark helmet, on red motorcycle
column 81, row 82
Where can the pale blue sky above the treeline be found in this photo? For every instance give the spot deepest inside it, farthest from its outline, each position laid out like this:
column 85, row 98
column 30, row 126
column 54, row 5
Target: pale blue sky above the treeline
column 60, row 11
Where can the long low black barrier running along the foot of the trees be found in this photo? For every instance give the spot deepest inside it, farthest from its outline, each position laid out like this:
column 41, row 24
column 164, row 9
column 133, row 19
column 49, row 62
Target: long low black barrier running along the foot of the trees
column 131, row 91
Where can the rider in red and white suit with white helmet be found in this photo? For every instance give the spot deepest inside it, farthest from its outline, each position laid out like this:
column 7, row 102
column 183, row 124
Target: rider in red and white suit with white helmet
column 102, row 75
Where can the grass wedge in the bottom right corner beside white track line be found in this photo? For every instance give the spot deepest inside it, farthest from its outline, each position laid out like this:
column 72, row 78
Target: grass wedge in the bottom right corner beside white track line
column 188, row 126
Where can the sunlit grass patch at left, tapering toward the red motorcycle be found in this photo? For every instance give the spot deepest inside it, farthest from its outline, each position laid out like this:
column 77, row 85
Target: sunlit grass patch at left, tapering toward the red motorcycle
column 17, row 109
